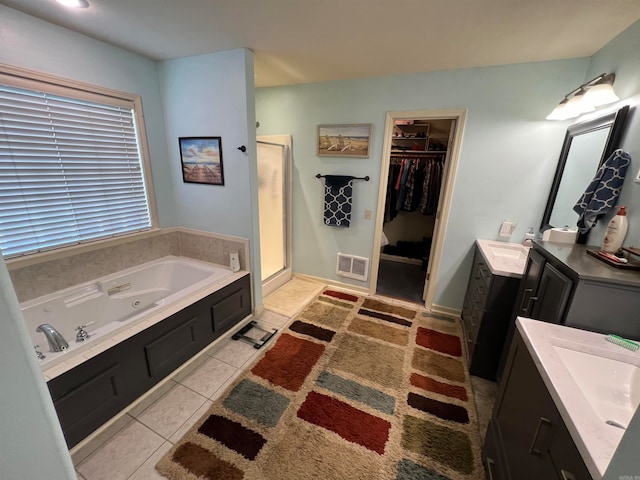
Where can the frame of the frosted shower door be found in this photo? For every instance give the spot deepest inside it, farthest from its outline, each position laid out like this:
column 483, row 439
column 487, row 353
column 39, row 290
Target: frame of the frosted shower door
column 279, row 278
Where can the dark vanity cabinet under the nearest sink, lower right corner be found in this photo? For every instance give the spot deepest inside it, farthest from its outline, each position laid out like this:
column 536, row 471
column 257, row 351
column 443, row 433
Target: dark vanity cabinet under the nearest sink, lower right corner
column 527, row 437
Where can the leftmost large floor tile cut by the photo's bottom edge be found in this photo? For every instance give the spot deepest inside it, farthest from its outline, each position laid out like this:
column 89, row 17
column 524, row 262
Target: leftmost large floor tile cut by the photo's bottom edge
column 122, row 455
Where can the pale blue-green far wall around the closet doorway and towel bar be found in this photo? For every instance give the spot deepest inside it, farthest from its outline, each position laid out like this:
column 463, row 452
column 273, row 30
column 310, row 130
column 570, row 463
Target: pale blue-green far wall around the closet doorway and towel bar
column 508, row 156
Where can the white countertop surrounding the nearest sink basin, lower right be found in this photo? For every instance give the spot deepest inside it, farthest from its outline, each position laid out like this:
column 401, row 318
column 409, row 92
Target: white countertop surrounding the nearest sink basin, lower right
column 596, row 441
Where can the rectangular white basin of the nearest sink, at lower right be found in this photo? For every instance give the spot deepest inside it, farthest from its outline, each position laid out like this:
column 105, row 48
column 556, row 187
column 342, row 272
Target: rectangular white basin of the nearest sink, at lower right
column 611, row 387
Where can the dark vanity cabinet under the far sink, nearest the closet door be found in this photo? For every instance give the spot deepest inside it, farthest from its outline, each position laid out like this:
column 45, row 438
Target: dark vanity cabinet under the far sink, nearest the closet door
column 486, row 313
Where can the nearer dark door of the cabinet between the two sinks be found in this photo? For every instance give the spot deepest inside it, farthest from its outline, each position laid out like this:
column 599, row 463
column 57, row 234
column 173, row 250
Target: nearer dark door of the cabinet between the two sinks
column 552, row 296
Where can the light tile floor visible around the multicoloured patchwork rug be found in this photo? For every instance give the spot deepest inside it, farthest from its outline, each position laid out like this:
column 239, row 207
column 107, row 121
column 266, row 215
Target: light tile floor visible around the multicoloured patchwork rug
column 132, row 445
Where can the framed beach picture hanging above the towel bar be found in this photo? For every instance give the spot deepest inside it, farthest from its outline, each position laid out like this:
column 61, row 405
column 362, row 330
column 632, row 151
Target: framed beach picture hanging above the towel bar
column 344, row 140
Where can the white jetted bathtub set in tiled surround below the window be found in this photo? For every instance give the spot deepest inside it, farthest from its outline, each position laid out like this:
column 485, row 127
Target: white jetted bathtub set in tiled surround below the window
column 116, row 307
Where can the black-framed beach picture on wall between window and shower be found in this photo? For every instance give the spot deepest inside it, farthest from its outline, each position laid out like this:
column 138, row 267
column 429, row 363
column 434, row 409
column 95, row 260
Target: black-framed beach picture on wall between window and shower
column 201, row 159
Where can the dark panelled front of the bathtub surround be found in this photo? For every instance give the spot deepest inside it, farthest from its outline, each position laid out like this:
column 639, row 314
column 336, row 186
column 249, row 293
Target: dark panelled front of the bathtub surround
column 90, row 394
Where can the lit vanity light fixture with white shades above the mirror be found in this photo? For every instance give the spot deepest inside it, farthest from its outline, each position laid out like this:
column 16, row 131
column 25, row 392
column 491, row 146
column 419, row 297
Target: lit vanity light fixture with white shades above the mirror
column 585, row 98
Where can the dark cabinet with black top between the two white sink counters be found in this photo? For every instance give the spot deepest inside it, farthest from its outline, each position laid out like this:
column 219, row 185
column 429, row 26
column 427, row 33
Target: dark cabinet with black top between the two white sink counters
column 563, row 284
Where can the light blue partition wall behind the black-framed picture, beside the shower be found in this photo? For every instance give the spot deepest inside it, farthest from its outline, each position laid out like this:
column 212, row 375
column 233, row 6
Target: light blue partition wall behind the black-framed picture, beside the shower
column 212, row 95
